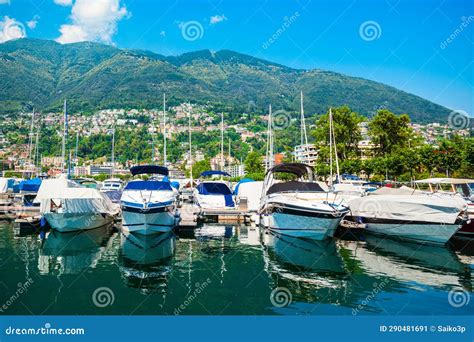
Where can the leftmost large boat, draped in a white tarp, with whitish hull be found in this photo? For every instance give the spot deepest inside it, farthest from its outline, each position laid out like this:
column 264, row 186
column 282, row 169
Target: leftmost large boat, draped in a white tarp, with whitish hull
column 67, row 206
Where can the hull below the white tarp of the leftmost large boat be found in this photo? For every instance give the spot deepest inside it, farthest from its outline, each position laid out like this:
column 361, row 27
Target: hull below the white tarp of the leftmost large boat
column 67, row 222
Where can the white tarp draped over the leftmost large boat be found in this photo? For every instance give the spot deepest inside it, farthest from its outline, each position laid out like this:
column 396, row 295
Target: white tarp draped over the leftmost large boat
column 71, row 198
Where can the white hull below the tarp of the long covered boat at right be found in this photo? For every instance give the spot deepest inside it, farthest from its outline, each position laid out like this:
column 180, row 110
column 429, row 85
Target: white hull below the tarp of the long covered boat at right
column 431, row 233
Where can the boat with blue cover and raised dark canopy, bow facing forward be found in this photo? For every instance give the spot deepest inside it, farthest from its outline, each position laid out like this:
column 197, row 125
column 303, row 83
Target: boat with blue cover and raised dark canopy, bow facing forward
column 149, row 206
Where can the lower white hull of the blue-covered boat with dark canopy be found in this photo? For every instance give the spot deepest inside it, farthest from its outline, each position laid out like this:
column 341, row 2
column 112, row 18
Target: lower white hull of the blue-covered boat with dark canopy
column 148, row 222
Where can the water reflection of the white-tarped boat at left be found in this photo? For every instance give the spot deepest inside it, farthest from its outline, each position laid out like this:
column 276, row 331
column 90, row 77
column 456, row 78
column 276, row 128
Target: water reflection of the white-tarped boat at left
column 71, row 253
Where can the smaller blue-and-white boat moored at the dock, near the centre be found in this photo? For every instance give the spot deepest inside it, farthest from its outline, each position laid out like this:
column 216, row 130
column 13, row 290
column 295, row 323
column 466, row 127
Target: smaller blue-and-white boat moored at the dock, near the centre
column 213, row 194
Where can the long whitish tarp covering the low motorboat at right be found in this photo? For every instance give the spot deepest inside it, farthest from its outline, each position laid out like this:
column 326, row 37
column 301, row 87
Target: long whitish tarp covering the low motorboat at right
column 426, row 208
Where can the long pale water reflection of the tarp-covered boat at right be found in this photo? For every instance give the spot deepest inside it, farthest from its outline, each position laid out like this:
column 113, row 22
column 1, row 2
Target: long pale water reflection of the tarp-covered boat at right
column 425, row 265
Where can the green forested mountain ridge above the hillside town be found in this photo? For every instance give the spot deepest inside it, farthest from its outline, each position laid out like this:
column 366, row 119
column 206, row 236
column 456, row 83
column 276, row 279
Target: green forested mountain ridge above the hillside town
column 93, row 76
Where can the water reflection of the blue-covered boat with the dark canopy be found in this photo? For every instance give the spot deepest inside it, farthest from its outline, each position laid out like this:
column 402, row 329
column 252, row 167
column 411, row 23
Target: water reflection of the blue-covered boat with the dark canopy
column 145, row 260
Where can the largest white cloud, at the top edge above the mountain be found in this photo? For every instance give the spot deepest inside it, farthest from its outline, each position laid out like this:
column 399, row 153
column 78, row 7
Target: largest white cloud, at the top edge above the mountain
column 92, row 20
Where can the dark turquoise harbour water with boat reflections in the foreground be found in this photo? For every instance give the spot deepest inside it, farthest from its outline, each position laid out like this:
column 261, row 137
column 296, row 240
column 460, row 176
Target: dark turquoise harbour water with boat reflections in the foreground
column 228, row 270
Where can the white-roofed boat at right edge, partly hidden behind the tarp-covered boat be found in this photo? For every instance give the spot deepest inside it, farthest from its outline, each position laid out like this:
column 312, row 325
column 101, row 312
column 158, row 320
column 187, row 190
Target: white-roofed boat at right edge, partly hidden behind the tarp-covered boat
column 455, row 187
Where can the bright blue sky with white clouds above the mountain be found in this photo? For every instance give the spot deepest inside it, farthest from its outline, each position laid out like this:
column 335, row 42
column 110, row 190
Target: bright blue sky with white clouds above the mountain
column 424, row 47
